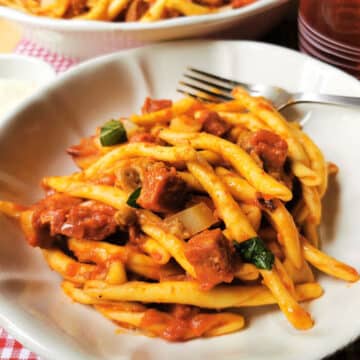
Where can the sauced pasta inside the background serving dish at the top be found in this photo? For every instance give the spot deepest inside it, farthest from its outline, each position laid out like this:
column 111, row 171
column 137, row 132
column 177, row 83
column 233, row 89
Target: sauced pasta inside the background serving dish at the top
column 123, row 10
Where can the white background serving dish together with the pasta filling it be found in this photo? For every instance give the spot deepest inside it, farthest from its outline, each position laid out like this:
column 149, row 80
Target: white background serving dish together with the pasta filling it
column 93, row 33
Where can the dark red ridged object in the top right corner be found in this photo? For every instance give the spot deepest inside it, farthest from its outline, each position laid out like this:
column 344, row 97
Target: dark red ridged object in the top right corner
column 329, row 30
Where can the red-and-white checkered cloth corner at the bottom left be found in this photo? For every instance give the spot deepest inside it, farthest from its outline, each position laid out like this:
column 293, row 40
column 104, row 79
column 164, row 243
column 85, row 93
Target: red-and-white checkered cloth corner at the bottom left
column 10, row 349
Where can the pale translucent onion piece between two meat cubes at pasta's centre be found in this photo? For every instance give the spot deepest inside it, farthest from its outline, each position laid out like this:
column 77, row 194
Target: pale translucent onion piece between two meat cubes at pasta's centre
column 191, row 221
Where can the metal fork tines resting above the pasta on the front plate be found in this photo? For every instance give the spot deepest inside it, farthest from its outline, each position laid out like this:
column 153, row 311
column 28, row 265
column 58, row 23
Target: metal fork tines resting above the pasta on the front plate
column 205, row 86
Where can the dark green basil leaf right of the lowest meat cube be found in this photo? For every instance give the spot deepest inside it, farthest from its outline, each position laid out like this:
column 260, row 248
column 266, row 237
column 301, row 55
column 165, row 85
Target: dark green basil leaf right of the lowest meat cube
column 255, row 252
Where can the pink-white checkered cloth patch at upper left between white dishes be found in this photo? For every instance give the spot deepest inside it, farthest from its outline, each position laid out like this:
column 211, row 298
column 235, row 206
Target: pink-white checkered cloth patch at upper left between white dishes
column 58, row 62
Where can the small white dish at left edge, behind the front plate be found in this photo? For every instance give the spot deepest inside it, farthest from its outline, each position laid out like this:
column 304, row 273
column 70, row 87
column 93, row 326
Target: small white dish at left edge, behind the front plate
column 19, row 77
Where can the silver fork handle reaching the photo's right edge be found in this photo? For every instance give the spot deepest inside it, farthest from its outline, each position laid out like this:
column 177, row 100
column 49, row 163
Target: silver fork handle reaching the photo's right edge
column 323, row 99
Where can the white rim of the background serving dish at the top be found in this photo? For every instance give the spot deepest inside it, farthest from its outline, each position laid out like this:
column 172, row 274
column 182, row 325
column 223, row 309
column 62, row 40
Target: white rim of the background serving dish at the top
column 93, row 26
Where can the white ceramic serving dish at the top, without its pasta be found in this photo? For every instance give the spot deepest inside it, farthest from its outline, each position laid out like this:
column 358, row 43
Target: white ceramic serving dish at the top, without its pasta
column 85, row 39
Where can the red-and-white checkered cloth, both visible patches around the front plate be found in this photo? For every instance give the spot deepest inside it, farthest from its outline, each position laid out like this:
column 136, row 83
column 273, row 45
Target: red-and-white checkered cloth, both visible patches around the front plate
column 10, row 349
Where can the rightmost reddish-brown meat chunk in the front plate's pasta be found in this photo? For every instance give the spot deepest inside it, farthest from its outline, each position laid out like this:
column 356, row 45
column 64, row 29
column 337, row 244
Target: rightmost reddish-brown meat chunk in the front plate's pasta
column 271, row 148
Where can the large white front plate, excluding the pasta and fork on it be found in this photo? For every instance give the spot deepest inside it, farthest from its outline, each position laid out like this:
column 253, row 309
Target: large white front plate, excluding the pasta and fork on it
column 32, row 306
